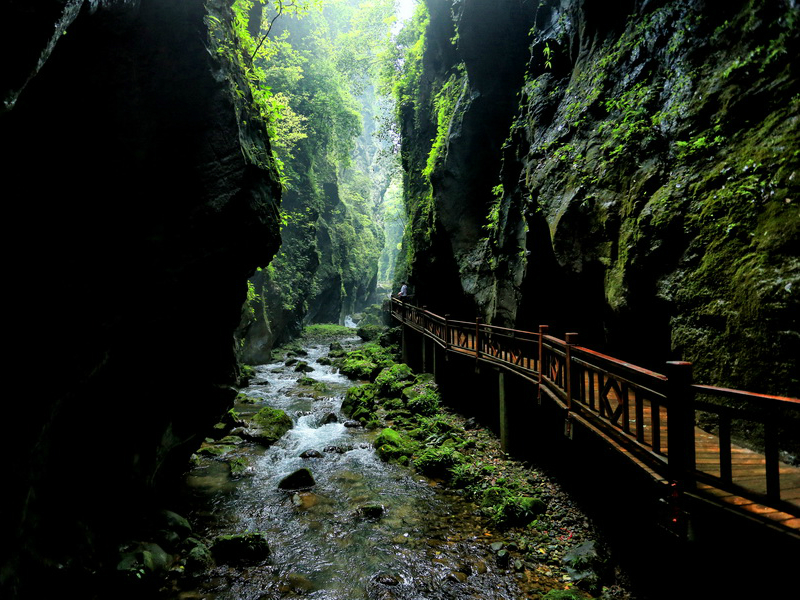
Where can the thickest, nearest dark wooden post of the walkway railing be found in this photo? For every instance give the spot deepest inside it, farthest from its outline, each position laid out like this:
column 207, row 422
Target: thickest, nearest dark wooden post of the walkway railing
column 680, row 423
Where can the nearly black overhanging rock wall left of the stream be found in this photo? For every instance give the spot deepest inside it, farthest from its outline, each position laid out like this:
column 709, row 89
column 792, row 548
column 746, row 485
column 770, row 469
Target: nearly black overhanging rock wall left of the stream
column 138, row 221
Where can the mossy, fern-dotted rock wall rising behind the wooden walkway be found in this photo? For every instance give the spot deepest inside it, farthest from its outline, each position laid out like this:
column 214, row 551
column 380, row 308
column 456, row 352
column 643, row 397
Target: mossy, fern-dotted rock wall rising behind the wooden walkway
column 641, row 189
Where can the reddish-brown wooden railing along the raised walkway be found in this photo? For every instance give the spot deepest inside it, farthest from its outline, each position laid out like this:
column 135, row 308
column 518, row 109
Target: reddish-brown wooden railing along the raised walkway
column 650, row 416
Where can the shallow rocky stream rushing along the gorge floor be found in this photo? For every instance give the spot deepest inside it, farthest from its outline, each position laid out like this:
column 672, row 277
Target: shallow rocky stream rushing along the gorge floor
column 366, row 530
